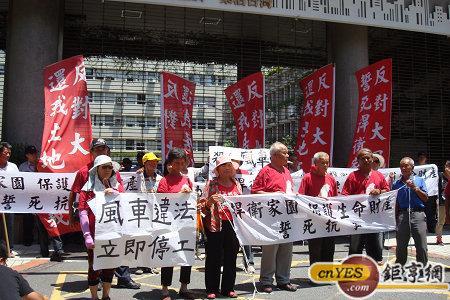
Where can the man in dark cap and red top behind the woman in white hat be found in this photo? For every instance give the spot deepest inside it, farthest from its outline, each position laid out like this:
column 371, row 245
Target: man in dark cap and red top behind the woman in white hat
column 99, row 147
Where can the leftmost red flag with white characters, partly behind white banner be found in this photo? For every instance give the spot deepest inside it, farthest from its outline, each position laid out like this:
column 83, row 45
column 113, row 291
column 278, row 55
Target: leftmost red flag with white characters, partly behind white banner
column 67, row 128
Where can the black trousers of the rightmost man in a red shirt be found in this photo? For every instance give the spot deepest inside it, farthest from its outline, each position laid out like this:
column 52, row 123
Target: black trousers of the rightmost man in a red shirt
column 371, row 241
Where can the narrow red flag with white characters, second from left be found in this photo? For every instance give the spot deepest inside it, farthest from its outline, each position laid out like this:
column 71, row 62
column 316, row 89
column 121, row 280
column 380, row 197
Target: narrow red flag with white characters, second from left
column 177, row 101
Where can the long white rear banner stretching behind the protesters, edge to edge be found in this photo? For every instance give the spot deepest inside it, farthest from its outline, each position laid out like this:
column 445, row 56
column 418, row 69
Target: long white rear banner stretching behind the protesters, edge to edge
column 23, row 192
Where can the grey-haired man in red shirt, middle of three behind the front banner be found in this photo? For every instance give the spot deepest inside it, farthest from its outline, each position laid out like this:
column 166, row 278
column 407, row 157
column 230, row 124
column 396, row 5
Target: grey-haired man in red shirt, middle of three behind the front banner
column 318, row 183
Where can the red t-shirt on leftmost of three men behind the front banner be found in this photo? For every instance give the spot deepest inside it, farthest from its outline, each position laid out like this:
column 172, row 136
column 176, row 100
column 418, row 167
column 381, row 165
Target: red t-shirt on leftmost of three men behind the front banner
column 271, row 180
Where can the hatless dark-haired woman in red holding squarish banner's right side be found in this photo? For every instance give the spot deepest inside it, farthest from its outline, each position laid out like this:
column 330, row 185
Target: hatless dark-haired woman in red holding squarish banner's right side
column 175, row 182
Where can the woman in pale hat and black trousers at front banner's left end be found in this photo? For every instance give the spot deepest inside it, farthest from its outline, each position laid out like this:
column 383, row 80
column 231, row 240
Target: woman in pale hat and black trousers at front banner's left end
column 221, row 238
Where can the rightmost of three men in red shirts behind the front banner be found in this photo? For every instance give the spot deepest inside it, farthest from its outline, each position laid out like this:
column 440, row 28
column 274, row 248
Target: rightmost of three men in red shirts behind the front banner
column 371, row 182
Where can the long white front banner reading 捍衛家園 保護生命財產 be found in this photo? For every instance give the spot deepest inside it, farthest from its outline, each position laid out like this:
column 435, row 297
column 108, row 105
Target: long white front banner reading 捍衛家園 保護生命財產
column 279, row 218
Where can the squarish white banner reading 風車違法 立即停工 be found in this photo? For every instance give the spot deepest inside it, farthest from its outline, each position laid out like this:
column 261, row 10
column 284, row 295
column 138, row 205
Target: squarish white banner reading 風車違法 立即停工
column 144, row 230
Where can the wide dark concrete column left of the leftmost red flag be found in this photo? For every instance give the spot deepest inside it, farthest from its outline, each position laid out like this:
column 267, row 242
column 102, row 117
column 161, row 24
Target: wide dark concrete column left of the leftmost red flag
column 34, row 38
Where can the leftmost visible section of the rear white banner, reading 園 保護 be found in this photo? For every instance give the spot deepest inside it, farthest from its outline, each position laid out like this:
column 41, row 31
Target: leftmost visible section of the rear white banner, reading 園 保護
column 25, row 192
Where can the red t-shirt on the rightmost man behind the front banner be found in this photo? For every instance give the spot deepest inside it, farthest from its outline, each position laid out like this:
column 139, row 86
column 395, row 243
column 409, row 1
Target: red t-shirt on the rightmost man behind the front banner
column 357, row 183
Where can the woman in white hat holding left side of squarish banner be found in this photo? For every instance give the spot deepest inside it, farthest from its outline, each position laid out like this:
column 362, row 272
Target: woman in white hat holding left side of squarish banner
column 101, row 179
